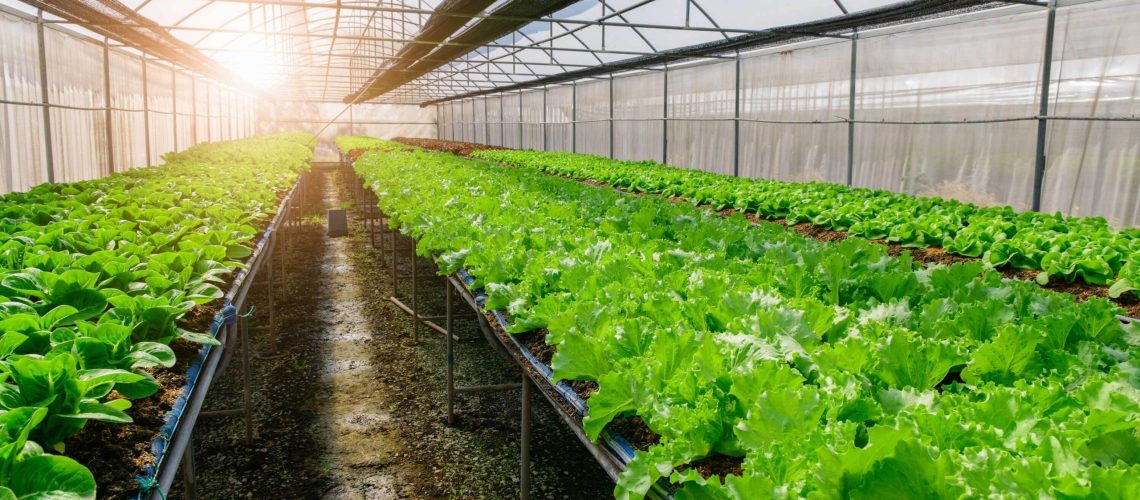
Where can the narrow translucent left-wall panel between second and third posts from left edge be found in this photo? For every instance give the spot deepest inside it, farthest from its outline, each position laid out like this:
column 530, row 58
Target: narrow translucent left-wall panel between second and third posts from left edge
column 127, row 112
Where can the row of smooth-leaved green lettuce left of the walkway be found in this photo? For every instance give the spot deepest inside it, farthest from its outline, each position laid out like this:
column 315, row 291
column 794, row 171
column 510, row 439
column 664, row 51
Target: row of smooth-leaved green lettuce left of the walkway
column 94, row 280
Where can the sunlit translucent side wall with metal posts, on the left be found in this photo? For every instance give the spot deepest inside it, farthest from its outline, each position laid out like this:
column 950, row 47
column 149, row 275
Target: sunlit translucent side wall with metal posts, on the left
column 109, row 110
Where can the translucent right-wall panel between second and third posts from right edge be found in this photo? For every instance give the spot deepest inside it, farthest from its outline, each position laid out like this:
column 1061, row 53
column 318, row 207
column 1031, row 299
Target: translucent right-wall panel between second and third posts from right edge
column 781, row 95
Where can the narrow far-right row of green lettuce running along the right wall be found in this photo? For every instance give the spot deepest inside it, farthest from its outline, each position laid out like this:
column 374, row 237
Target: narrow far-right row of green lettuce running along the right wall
column 1060, row 248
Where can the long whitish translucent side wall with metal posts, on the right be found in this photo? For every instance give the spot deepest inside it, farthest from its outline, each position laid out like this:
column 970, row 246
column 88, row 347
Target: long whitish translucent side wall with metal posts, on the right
column 943, row 108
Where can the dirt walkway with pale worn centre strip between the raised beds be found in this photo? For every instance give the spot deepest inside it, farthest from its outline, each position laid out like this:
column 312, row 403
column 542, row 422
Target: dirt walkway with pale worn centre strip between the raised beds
column 354, row 409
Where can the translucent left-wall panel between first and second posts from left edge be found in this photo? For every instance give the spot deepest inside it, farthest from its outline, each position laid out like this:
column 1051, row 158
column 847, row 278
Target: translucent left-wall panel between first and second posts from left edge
column 79, row 133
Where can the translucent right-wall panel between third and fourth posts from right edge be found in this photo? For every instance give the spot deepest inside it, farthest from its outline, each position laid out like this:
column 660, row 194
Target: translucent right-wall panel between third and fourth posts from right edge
column 705, row 92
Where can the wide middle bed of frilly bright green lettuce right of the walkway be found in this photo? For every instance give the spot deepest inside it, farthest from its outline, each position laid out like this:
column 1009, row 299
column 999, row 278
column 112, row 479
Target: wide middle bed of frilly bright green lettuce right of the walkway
column 827, row 370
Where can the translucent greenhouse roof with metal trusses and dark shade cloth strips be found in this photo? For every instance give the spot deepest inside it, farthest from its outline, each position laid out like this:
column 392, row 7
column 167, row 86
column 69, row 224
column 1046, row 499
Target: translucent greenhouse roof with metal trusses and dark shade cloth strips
column 426, row 51
